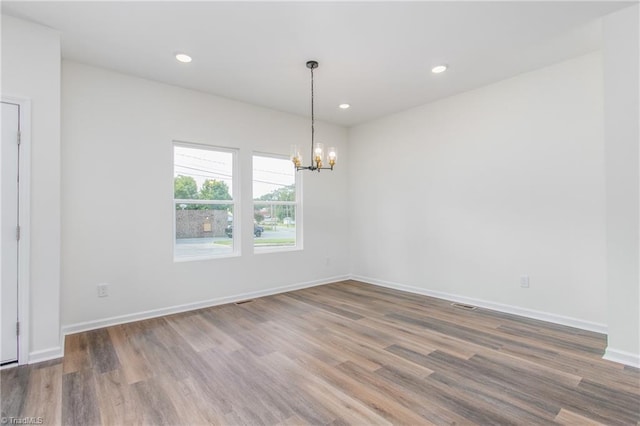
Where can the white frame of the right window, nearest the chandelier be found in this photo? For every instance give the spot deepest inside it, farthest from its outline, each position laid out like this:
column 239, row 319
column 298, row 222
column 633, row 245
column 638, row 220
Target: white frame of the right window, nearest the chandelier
column 297, row 204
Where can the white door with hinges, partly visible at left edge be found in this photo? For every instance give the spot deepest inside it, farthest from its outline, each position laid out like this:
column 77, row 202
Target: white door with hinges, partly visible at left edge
column 8, row 230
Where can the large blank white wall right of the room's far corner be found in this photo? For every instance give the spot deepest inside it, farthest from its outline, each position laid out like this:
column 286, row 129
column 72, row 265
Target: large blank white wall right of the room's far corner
column 465, row 195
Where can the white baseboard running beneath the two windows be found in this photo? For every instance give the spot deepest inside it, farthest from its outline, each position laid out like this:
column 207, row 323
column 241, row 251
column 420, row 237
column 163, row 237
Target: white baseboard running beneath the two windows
column 122, row 319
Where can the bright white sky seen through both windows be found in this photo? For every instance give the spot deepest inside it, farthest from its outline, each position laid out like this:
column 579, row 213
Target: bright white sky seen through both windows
column 269, row 173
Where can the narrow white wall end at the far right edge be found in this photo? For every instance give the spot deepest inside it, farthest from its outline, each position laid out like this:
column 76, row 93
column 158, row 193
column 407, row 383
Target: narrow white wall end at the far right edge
column 621, row 73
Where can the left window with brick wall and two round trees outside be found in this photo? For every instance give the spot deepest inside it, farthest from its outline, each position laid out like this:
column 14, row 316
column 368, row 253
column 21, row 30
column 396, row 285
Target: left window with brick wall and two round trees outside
column 204, row 201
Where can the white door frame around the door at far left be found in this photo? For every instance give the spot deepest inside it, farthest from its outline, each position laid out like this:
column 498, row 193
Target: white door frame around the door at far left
column 24, row 220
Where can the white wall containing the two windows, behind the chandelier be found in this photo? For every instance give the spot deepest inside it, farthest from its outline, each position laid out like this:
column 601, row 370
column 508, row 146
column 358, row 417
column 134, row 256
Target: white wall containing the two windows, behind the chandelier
column 117, row 182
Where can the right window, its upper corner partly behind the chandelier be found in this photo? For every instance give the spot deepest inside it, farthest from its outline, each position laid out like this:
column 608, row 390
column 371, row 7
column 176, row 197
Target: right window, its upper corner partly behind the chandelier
column 276, row 204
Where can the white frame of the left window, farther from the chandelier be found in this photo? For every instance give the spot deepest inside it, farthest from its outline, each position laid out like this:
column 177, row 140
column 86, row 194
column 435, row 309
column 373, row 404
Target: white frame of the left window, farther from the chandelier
column 234, row 202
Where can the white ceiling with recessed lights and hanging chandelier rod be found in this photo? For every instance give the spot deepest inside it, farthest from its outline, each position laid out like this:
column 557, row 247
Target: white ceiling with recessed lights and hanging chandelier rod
column 376, row 56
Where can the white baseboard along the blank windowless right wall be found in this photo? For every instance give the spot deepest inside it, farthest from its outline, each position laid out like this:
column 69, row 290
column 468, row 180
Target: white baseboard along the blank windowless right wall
column 509, row 309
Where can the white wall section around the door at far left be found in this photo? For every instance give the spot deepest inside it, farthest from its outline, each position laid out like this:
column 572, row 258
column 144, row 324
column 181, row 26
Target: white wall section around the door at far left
column 31, row 69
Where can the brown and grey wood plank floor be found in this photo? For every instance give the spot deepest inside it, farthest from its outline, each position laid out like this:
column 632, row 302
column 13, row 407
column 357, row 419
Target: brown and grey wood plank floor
column 345, row 353
